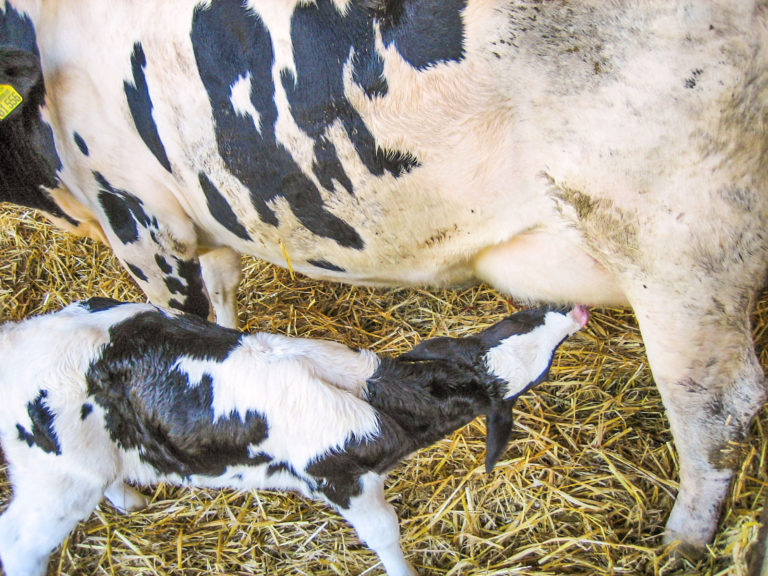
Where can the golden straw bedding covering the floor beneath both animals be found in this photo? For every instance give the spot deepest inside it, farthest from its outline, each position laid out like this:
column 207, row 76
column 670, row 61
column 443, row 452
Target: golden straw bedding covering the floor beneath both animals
column 585, row 487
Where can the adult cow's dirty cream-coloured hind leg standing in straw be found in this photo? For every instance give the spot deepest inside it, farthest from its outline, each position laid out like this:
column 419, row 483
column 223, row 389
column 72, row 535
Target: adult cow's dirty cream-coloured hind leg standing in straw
column 703, row 360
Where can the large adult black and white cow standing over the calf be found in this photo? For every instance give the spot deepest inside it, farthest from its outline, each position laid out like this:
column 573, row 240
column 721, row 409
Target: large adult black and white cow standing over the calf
column 579, row 151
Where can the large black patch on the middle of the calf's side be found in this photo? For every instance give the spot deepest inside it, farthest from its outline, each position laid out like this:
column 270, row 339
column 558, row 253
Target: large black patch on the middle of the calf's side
column 150, row 404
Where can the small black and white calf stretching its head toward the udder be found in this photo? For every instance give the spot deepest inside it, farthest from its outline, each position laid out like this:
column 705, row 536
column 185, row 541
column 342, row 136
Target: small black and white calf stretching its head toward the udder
column 102, row 392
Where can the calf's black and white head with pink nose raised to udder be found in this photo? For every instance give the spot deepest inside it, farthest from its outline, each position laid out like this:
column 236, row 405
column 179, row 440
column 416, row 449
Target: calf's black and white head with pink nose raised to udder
column 512, row 355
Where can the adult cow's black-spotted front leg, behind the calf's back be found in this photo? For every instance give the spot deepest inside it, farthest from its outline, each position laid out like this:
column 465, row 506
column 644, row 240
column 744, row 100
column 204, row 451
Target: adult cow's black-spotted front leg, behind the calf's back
column 156, row 242
